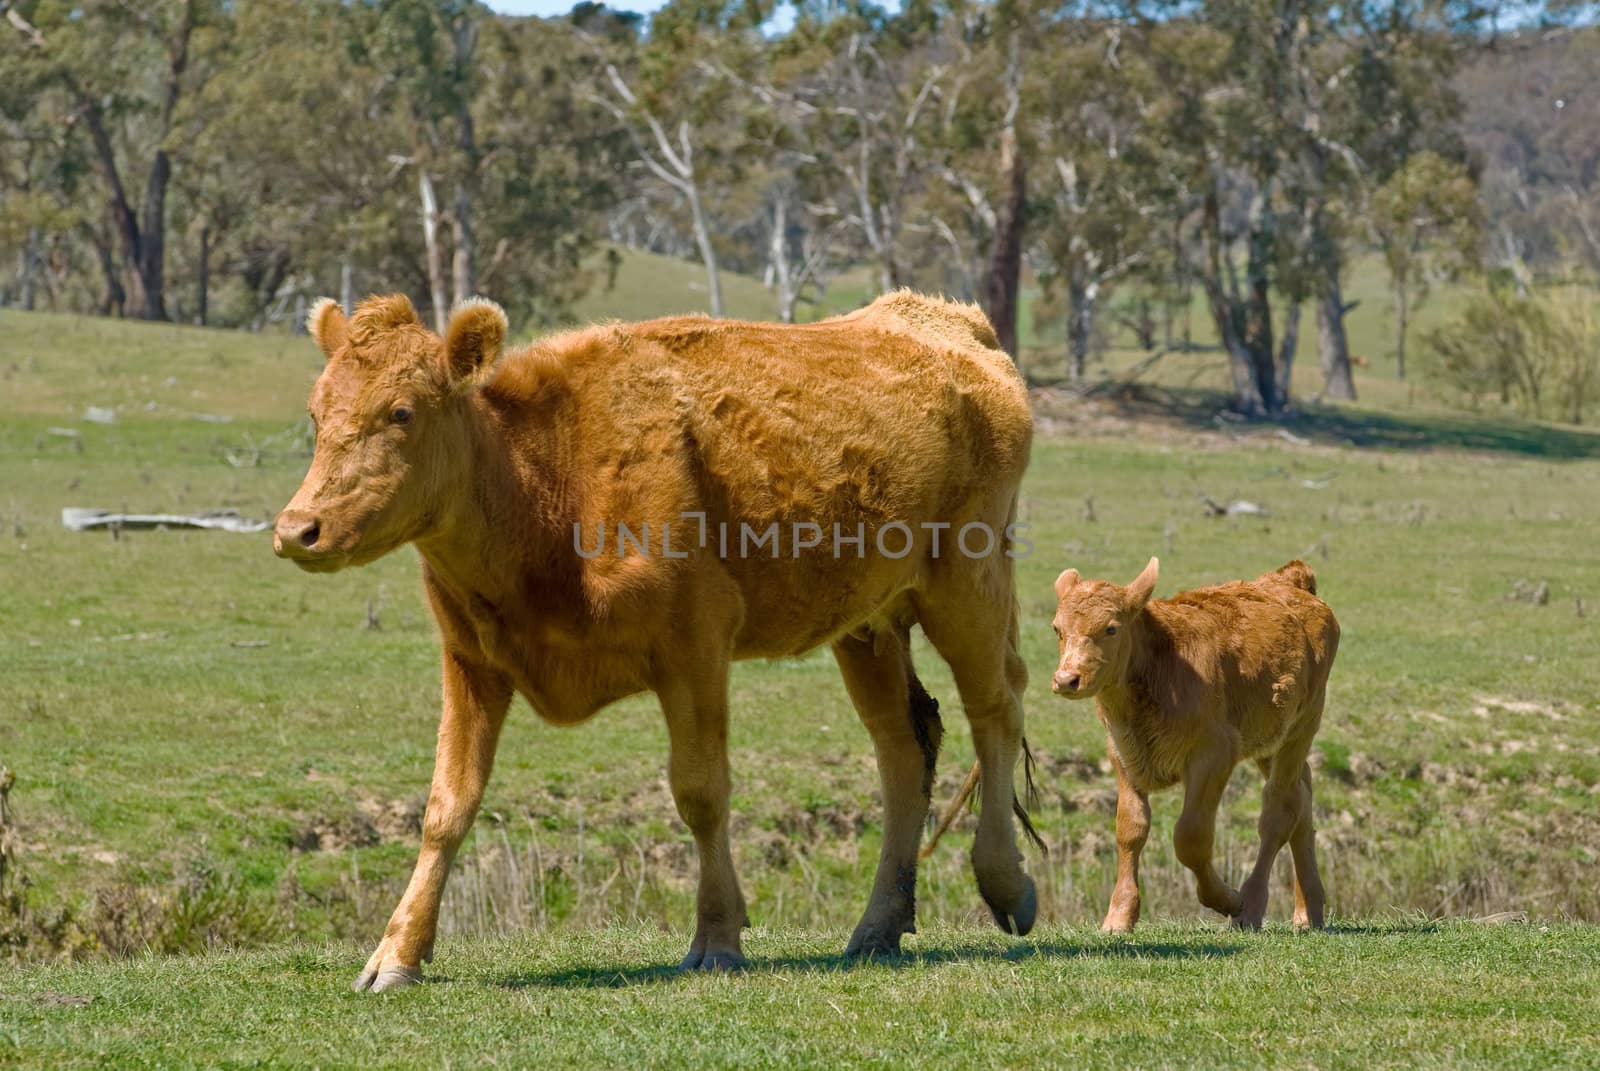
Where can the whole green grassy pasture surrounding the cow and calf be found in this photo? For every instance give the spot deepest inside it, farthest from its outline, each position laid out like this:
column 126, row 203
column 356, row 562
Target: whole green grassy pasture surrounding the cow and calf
column 217, row 752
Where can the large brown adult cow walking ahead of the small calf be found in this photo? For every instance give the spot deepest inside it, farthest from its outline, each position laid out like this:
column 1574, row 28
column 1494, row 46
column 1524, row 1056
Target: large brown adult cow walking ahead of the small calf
column 585, row 510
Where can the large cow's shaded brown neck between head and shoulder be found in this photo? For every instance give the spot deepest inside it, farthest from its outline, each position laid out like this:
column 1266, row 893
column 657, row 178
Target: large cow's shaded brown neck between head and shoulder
column 503, row 518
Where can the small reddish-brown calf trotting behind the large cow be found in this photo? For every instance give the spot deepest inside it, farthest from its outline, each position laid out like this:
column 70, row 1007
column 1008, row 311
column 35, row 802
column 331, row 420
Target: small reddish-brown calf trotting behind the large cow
column 1188, row 688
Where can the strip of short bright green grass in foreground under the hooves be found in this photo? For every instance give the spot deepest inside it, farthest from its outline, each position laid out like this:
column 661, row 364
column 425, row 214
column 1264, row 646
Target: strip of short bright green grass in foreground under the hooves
column 1450, row 997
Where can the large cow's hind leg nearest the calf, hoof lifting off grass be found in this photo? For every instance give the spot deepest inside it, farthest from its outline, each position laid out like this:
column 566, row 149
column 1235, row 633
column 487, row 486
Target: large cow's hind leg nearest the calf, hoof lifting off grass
column 972, row 622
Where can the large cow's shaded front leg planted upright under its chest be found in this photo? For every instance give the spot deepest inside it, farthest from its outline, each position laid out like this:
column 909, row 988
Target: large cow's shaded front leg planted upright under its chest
column 695, row 702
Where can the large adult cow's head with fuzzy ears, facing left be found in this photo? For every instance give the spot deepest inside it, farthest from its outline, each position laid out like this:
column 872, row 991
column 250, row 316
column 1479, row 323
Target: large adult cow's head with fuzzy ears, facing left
column 390, row 412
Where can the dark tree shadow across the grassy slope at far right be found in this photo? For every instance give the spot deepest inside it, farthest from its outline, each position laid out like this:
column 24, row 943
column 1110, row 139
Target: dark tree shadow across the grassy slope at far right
column 1374, row 430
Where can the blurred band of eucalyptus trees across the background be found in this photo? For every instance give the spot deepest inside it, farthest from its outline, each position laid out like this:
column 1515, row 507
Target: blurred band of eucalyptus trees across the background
column 1129, row 164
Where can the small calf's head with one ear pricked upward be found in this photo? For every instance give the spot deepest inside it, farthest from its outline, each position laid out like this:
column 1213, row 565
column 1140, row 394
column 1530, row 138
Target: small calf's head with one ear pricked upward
column 1094, row 624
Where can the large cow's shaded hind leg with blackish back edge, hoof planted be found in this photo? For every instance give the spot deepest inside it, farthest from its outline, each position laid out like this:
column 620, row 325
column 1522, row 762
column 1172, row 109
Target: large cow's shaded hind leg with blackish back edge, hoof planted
column 906, row 732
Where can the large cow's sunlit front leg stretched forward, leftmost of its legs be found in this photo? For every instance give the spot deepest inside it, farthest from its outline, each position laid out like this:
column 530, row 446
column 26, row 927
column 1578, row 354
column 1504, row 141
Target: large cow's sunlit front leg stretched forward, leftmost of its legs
column 476, row 702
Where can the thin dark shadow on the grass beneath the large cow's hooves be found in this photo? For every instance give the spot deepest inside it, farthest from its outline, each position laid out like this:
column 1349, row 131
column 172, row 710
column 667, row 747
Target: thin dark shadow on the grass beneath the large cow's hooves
column 617, row 979
